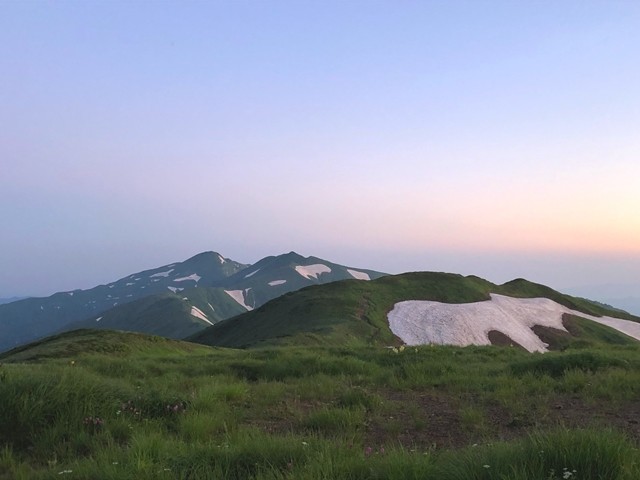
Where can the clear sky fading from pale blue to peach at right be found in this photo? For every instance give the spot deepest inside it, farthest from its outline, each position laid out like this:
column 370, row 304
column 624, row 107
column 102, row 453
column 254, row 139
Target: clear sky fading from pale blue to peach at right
column 494, row 138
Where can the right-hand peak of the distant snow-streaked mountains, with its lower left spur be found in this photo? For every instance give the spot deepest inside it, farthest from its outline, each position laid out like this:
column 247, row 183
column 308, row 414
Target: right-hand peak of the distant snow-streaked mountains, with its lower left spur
column 179, row 314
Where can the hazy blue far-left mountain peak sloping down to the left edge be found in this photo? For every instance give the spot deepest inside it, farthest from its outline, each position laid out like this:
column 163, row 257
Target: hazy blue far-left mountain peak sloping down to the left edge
column 32, row 318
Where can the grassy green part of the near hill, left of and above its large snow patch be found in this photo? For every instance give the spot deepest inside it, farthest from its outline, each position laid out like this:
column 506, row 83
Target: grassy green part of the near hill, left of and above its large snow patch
column 352, row 312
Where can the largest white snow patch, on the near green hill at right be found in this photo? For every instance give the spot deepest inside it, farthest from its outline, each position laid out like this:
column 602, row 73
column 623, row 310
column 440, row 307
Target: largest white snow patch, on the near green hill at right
column 419, row 322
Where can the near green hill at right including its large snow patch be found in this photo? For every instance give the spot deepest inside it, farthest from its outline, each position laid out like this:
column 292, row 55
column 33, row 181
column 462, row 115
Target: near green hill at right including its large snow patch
column 519, row 312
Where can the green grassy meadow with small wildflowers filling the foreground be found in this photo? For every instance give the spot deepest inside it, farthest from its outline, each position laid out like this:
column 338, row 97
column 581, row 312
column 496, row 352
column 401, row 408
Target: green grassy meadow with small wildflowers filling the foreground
column 113, row 405
